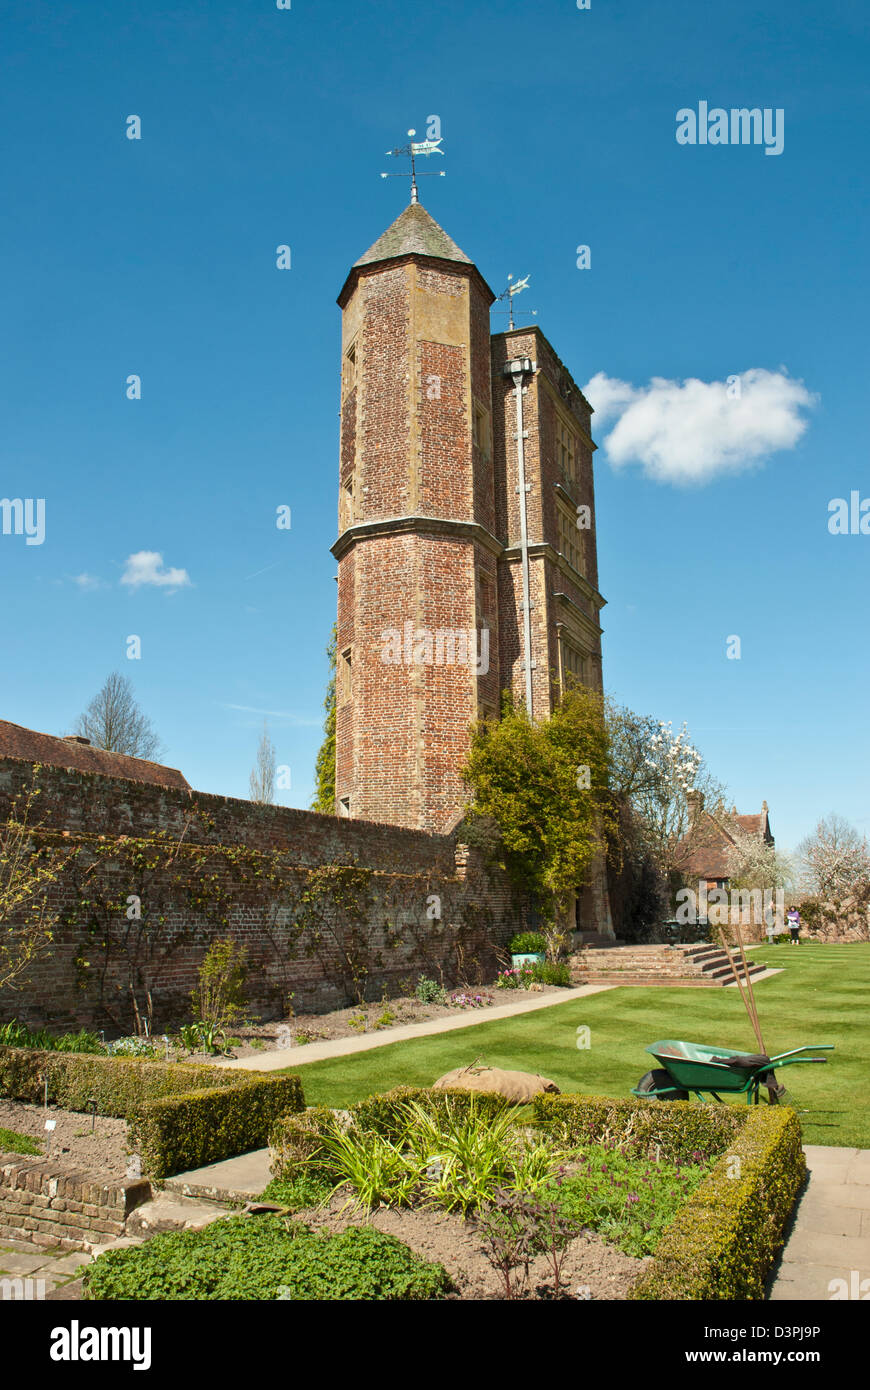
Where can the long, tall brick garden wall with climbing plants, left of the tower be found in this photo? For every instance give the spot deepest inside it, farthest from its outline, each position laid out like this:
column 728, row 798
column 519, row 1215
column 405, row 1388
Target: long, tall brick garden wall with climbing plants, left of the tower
column 154, row 876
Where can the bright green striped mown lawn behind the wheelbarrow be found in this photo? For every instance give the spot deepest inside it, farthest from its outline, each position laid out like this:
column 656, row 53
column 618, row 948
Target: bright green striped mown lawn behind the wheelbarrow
column 822, row 997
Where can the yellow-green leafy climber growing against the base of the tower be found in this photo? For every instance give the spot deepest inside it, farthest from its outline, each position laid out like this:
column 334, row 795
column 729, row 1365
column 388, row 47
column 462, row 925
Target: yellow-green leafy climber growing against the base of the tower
column 545, row 786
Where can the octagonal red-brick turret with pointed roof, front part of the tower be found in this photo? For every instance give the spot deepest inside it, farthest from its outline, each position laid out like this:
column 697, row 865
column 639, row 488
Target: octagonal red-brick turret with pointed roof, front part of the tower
column 418, row 516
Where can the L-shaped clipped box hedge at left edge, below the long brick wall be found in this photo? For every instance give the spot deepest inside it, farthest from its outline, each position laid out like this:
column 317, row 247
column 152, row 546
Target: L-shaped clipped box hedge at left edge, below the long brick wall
column 180, row 1115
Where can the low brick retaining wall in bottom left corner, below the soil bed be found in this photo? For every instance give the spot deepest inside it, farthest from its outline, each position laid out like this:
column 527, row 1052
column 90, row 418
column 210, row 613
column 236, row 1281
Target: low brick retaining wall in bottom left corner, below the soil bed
column 54, row 1207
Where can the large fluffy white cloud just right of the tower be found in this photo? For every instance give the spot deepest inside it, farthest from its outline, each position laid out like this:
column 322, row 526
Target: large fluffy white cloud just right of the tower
column 693, row 432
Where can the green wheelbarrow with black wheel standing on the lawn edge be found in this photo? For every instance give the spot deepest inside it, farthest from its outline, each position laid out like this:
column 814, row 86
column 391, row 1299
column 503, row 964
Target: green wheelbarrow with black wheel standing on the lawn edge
column 707, row 1071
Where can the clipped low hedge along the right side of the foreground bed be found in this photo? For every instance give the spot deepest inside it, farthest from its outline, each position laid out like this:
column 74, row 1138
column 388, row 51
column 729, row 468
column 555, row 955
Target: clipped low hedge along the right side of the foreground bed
column 728, row 1236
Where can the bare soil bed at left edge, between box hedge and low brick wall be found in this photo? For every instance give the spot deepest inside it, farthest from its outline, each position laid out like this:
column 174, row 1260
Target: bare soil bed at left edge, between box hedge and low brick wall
column 102, row 1152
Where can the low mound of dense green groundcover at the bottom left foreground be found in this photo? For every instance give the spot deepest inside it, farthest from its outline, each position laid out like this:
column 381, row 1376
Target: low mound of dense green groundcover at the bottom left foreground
column 265, row 1259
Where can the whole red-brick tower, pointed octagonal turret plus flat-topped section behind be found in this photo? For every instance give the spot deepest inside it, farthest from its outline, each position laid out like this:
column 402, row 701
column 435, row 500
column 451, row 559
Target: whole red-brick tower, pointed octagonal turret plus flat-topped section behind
column 466, row 551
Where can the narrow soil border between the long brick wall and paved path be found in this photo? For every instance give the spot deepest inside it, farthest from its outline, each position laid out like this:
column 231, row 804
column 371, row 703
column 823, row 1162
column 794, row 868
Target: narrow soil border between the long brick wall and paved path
column 295, row 1031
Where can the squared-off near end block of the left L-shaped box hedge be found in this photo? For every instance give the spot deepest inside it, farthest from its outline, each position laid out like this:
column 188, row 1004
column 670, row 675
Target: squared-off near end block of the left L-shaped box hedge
column 199, row 1128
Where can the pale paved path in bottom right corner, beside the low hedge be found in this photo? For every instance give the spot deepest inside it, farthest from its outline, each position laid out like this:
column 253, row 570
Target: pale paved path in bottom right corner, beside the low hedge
column 830, row 1231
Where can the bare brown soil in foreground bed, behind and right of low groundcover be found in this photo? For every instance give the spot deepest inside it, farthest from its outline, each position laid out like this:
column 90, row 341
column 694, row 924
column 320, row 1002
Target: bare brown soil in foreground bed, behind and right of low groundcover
column 593, row 1270
